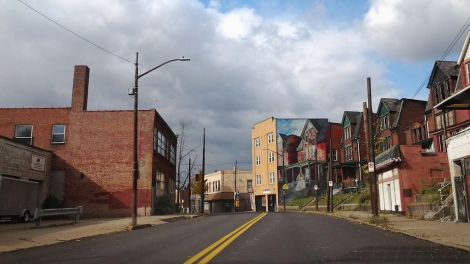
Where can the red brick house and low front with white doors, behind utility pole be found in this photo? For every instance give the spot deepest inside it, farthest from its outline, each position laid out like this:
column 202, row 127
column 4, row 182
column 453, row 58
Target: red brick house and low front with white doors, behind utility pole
column 403, row 168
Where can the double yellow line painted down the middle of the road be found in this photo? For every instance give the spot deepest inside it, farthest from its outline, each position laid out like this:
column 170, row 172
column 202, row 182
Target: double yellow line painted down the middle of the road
column 211, row 251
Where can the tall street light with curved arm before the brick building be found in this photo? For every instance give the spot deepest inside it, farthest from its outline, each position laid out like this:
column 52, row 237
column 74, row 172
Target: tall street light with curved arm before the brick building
column 135, row 93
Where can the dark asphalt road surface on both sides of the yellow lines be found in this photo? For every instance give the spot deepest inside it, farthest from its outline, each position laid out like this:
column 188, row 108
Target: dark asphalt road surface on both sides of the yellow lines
column 275, row 238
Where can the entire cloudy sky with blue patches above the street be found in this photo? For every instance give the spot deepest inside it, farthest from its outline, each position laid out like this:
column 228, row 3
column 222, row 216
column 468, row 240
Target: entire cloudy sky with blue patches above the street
column 250, row 60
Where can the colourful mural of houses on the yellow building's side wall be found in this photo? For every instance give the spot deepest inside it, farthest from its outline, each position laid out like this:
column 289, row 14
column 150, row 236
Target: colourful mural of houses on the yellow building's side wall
column 300, row 142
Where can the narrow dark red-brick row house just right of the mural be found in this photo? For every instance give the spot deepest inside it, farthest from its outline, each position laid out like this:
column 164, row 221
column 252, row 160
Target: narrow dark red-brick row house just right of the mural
column 353, row 148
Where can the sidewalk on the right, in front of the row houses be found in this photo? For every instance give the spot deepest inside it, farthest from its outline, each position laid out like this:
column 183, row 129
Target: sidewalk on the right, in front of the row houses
column 446, row 233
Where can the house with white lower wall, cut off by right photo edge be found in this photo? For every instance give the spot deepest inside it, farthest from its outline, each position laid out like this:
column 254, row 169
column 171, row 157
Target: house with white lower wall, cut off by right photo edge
column 457, row 102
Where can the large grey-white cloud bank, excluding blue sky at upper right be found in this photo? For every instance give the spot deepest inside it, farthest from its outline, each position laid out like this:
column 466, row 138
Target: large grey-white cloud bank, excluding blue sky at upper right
column 244, row 68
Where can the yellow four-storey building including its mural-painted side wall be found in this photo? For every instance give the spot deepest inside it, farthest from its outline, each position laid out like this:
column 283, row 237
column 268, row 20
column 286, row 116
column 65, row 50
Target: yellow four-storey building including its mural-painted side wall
column 293, row 154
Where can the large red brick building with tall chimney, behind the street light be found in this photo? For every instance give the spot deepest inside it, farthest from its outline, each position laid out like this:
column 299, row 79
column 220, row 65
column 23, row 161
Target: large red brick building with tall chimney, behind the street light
column 92, row 152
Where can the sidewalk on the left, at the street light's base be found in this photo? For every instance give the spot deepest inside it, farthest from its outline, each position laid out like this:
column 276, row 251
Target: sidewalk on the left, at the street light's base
column 21, row 235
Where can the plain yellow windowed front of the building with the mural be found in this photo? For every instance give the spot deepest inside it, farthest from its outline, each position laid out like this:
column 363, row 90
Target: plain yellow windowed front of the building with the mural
column 265, row 170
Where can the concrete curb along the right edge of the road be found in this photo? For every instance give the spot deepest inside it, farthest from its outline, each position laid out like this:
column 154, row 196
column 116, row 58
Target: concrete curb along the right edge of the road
column 394, row 230
